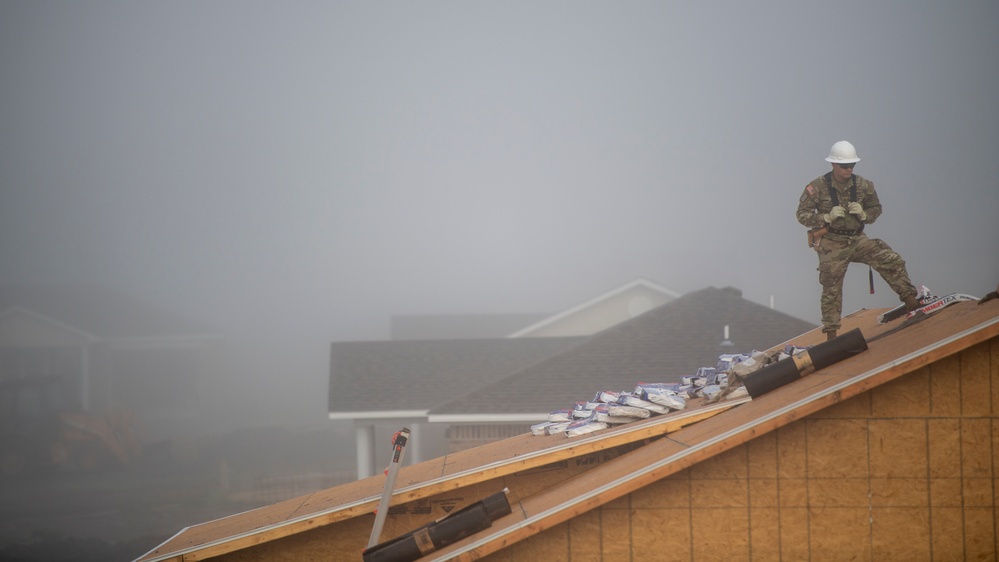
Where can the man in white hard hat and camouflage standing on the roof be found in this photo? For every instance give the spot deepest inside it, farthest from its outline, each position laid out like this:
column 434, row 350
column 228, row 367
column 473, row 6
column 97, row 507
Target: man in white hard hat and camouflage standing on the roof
column 836, row 207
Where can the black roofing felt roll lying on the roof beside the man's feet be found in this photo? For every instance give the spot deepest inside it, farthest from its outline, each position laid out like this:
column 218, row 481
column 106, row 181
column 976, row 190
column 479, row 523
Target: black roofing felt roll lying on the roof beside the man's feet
column 805, row 363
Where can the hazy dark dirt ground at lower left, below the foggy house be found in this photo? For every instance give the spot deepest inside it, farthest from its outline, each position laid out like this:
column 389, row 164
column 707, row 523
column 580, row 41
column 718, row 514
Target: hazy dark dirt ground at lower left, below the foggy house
column 121, row 513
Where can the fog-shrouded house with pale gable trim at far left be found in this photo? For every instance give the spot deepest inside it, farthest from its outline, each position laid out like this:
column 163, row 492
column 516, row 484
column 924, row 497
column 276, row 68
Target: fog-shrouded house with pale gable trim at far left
column 87, row 348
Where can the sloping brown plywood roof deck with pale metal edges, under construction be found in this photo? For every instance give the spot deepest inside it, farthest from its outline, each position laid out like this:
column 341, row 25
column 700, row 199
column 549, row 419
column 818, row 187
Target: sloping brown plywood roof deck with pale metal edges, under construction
column 947, row 332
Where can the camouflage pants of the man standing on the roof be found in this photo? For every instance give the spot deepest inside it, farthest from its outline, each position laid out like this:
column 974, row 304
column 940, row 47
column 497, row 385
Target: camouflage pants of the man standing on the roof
column 835, row 255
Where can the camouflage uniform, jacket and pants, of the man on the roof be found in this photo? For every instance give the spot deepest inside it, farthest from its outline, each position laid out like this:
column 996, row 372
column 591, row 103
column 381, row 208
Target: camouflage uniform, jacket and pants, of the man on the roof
column 845, row 242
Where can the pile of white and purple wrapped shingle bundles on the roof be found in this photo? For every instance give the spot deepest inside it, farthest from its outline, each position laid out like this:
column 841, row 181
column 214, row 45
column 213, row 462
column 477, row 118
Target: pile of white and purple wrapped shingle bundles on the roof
column 607, row 408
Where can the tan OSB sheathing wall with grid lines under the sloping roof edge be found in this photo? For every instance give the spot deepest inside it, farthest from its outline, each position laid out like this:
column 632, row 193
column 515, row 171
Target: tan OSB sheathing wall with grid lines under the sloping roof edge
column 890, row 474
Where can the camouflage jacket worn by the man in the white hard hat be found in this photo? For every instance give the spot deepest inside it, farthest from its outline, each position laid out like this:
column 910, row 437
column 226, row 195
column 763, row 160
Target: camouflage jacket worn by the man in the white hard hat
column 815, row 201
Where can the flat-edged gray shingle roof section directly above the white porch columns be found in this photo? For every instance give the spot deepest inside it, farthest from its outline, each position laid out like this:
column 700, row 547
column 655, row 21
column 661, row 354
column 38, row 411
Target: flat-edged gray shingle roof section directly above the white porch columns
column 387, row 376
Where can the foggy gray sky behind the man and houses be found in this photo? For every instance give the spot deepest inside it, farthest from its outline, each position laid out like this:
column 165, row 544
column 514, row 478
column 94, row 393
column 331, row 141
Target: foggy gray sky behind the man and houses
column 300, row 171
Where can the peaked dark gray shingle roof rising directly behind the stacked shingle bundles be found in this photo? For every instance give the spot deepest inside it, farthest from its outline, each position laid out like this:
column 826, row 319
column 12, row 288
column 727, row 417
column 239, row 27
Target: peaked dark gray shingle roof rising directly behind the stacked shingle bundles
column 659, row 346
